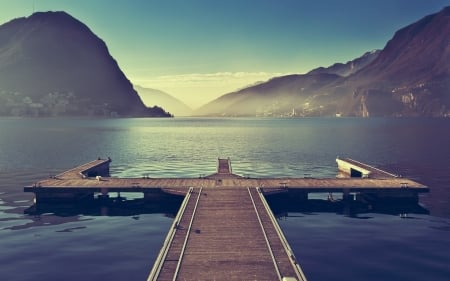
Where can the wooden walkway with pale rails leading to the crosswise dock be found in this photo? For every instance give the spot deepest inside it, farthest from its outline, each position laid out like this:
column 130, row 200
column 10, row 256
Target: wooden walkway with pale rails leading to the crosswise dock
column 225, row 234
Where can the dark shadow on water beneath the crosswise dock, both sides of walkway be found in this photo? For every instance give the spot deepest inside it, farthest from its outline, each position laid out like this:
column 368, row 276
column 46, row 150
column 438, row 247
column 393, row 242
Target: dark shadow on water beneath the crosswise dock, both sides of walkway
column 281, row 205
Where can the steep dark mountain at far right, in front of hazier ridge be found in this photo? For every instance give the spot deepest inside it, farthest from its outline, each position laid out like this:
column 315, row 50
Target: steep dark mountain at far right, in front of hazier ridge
column 411, row 76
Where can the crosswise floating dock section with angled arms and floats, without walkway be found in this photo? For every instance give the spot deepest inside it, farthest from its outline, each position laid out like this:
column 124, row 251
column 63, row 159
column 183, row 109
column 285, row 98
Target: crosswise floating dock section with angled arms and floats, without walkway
column 93, row 178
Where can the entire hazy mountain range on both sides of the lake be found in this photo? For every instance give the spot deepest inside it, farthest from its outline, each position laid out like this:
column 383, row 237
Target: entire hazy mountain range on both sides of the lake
column 53, row 65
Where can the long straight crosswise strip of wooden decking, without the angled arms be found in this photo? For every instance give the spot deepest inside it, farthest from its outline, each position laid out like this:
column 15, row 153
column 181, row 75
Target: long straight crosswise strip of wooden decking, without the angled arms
column 308, row 184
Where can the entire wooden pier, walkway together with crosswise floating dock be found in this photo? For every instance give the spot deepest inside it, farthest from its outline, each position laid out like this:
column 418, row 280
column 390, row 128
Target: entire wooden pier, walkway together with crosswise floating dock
column 225, row 229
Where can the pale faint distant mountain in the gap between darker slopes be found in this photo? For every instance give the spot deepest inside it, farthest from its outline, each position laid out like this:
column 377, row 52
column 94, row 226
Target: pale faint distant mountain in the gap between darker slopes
column 152, row 97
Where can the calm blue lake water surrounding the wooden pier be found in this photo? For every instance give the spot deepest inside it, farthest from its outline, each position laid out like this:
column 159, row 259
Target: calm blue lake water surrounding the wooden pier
column 95, row 242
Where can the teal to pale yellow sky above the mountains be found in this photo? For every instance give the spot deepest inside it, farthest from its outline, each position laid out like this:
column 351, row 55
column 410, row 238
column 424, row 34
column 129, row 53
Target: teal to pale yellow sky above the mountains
column 197, row 50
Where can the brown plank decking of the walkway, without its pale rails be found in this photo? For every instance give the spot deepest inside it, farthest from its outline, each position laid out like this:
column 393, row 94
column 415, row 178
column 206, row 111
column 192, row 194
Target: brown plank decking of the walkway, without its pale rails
column 226, row 241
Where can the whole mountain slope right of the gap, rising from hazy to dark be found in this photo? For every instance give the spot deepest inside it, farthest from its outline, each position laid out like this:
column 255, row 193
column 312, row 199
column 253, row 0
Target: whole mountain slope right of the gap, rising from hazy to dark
column 409, row 77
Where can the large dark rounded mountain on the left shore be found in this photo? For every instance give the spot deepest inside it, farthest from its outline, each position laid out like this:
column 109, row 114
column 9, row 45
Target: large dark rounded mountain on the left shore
column 52, row 65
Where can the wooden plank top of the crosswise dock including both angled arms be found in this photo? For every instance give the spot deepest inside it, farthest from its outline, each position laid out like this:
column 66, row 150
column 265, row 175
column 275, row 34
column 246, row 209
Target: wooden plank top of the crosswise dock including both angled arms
column 76, row 179
